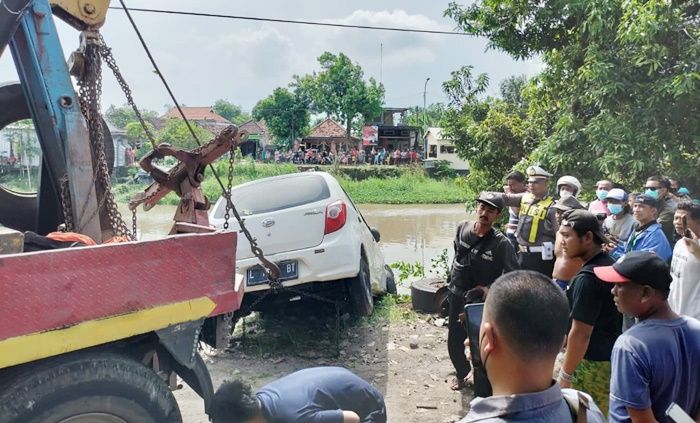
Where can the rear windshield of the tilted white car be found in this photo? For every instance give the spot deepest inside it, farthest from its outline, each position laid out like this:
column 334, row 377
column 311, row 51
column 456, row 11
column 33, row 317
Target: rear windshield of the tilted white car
column 276, row 194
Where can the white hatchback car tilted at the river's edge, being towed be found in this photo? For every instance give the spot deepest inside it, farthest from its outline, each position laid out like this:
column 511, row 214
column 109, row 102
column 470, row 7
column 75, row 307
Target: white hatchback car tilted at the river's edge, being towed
column 307, row 224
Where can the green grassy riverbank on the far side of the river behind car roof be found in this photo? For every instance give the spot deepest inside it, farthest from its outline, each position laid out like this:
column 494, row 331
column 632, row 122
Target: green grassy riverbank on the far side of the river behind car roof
column 411, row 186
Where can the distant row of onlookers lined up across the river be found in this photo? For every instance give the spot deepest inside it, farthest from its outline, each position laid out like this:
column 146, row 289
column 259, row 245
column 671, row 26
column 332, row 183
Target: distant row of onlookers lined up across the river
column 354, row 156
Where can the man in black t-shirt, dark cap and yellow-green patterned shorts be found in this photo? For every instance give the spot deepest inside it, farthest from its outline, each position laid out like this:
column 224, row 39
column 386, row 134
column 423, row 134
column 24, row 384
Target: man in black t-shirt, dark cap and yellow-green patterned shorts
column 595, row 323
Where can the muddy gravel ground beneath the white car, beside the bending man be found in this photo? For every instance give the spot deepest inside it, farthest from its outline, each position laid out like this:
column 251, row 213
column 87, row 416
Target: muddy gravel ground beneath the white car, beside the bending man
column 402, row 353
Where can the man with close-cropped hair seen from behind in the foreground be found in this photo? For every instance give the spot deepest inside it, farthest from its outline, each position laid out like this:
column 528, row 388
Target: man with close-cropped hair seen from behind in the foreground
column 518, row 339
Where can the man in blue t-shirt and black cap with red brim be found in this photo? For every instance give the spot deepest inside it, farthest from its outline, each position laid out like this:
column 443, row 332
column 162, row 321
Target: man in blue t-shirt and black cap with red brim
column 656, row 362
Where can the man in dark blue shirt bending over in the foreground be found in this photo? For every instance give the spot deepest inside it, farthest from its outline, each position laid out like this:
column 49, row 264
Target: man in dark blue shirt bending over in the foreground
column 317, row 394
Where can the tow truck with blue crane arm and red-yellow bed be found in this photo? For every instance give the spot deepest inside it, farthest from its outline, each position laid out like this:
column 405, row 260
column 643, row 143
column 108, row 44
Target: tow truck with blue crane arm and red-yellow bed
column 100, row 333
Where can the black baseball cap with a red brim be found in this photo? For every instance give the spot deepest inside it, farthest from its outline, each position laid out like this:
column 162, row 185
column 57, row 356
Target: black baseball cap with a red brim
column 642, row 267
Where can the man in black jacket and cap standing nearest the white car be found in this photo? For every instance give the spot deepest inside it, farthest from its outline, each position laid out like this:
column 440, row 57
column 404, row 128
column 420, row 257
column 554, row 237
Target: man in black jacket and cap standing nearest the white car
column 482, row 254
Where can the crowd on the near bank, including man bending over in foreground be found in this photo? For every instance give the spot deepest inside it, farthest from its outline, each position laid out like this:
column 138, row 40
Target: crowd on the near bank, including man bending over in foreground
column 590, row 314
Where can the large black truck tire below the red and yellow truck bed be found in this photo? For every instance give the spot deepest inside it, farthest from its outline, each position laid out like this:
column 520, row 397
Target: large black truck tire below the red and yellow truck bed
column 88, row 388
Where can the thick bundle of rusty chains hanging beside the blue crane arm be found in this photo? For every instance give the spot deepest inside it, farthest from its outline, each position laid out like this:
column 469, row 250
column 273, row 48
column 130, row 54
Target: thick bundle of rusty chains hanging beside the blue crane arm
column 90, row 92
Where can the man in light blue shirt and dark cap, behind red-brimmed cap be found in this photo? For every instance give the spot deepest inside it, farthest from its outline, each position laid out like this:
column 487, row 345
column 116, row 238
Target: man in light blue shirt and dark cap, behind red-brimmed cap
column 647, row 234
